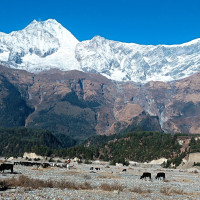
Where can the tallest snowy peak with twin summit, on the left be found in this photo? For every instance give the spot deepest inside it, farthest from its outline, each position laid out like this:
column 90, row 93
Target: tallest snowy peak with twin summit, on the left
column 40, row 46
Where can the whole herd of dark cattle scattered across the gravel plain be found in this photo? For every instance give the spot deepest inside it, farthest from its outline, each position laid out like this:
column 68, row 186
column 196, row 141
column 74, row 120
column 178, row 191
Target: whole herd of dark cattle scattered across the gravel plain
column 7, row 166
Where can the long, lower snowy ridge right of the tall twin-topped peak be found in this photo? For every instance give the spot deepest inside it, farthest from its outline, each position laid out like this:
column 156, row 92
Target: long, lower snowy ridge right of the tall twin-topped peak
column 140, row 63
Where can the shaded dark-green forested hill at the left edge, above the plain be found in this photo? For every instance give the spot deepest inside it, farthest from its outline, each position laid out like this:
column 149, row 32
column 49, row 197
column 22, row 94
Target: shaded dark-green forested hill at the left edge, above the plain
column 16, row 141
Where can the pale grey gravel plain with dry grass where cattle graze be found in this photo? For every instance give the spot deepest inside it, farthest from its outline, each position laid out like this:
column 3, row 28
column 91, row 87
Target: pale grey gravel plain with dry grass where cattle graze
column 179, row 183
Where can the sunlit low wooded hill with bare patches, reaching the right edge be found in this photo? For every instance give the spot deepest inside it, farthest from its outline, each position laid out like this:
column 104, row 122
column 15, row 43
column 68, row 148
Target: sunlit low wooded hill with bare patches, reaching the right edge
column 139, row 146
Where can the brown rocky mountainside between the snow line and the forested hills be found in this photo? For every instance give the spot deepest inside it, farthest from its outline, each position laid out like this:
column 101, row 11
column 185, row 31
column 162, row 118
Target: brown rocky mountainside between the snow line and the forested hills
column 83, row 104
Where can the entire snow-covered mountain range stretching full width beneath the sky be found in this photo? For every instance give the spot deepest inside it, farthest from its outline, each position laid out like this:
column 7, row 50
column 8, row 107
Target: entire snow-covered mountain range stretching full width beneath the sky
column 45, row 45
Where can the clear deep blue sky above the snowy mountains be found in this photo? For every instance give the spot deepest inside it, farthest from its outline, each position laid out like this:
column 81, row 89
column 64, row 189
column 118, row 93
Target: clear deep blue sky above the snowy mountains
column 137, row 21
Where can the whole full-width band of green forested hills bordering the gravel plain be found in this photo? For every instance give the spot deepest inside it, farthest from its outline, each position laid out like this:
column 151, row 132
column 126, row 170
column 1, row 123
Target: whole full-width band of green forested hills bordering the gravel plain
column 139, row 146
